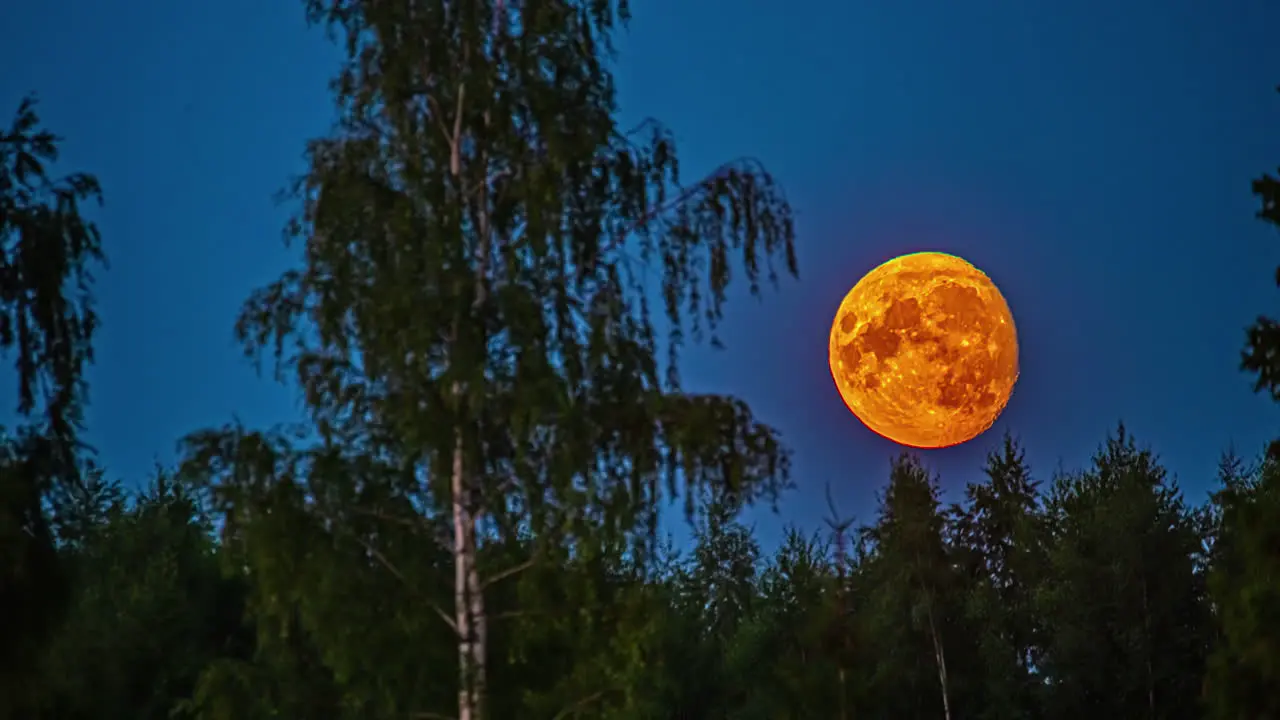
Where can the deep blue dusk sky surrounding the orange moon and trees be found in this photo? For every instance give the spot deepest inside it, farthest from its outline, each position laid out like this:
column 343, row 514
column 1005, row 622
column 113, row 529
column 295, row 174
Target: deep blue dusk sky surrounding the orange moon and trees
column 1094, row 158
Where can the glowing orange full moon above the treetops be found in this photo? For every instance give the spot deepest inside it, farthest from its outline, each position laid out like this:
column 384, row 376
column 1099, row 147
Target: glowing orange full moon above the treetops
column 925, row 352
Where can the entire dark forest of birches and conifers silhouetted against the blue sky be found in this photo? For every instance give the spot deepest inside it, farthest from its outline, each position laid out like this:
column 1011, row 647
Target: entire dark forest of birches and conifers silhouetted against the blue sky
column 486, row 334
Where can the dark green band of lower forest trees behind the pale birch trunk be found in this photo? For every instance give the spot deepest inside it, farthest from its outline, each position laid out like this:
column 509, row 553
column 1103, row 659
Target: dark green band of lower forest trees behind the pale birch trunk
column 1098, row 596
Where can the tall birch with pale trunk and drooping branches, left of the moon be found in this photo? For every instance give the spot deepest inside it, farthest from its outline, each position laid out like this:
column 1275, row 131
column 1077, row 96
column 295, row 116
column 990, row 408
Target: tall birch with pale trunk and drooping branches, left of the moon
column 482, row 245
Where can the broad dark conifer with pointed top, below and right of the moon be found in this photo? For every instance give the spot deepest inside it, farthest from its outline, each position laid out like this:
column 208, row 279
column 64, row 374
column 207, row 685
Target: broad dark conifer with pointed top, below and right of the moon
column 1123, row 601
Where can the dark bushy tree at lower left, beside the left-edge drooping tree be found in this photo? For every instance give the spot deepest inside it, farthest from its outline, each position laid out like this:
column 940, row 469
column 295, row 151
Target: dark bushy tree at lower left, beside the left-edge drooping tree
column 148, row 607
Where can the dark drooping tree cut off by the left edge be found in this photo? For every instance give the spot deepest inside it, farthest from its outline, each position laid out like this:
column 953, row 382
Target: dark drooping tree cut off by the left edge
column 48, row 256
